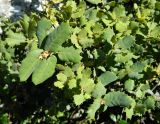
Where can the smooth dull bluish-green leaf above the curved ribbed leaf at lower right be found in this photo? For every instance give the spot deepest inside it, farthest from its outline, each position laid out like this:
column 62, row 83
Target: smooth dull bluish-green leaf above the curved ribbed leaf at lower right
column 107, row 77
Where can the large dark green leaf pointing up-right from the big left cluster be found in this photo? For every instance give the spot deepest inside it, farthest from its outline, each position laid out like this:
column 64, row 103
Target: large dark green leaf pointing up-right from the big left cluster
column 58, row 37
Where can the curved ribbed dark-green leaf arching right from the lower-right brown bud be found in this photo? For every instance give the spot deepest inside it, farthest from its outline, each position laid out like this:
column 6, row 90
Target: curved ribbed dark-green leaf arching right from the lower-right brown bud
column 117, row 98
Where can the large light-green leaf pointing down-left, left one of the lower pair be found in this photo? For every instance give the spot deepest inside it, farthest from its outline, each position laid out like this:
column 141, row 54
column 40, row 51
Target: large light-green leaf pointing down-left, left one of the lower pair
column 29, row 64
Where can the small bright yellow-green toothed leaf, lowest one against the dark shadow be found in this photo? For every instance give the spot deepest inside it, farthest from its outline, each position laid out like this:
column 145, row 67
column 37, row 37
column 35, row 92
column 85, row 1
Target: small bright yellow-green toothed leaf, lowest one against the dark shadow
column 79, row 99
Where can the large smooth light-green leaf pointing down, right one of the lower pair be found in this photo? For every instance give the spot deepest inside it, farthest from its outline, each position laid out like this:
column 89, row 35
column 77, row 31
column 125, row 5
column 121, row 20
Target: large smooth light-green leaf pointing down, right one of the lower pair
column 44, row 70
